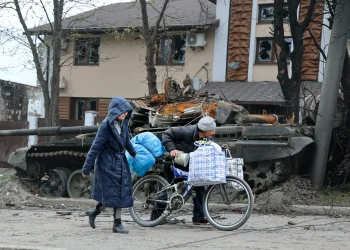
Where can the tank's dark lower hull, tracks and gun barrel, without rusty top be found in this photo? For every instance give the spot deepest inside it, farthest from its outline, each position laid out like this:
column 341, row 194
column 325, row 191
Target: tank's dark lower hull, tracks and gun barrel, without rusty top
column 271, row 154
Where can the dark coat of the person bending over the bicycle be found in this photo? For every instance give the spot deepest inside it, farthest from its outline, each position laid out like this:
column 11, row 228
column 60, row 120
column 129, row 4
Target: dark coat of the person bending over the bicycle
column 181, row 138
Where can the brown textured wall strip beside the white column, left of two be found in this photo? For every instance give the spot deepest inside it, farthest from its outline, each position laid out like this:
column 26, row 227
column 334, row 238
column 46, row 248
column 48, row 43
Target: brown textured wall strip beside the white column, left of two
column 239, row 37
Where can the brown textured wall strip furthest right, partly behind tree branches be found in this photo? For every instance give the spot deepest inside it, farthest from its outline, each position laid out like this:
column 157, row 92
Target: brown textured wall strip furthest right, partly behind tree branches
column 312, row 55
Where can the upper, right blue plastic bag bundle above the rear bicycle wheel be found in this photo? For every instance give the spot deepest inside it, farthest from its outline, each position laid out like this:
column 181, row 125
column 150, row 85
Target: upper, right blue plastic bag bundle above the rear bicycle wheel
column 150, row 142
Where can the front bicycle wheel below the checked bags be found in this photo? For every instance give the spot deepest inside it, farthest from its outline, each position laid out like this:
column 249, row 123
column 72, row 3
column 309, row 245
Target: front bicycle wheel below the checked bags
column 228, row 206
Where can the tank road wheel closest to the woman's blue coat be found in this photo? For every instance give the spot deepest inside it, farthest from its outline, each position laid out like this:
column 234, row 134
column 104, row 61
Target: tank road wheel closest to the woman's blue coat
column 78, row 187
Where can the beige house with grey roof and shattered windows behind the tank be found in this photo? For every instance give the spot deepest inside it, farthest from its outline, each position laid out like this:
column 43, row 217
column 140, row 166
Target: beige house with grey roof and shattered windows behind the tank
column 237, row 48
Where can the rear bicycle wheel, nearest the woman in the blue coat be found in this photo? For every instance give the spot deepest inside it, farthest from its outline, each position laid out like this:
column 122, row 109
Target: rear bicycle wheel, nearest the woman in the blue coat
column 150, row 201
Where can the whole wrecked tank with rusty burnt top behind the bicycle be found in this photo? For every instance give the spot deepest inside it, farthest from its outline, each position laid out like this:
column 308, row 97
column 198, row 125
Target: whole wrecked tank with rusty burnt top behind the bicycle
column 271, row 151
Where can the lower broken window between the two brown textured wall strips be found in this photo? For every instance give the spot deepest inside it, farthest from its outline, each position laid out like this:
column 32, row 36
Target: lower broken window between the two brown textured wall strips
column 266, row 51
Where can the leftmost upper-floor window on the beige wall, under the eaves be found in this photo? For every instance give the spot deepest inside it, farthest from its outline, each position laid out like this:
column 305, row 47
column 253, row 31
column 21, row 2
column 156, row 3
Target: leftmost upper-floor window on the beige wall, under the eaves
column 87, row 51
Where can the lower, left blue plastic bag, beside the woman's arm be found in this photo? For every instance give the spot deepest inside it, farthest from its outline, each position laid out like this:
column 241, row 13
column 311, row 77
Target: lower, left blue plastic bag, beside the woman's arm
column 143, row 161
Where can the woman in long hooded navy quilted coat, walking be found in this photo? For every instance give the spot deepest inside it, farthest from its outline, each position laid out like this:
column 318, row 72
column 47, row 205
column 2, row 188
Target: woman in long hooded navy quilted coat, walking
column 112, row 182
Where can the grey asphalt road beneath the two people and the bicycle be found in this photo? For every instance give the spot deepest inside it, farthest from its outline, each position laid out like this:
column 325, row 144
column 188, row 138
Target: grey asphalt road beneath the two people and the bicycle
column 44, row 229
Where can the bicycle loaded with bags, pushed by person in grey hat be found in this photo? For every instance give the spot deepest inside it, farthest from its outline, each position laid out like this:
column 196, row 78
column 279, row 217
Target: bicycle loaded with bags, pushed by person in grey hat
column 154, row 195
